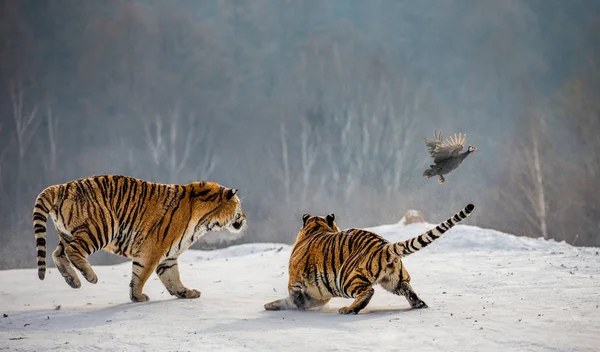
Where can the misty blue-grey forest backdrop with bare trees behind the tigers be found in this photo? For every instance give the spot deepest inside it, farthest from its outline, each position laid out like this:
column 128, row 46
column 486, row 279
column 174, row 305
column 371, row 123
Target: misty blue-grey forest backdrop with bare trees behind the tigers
column 307, row 106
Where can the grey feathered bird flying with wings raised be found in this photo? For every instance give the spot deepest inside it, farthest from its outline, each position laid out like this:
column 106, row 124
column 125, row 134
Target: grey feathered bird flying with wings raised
column 446, row 154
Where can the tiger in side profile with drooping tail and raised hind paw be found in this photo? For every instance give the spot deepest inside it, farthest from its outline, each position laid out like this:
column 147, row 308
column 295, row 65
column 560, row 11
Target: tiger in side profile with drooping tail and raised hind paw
column 149, row 223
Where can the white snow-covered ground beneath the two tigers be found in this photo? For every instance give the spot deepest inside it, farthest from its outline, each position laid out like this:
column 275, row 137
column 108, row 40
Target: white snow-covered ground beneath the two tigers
column 486, row 291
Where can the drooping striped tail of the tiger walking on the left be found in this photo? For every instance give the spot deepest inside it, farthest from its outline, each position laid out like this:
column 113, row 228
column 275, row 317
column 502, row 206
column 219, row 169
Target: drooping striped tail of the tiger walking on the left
column 43, row 205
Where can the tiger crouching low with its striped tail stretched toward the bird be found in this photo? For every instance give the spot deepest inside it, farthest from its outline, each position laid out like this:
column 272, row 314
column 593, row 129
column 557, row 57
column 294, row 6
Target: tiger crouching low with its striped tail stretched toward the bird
column 327, row 262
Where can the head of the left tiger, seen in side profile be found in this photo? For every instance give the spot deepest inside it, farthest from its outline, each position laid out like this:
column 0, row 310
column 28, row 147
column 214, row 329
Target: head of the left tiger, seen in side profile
column 217, row 207
